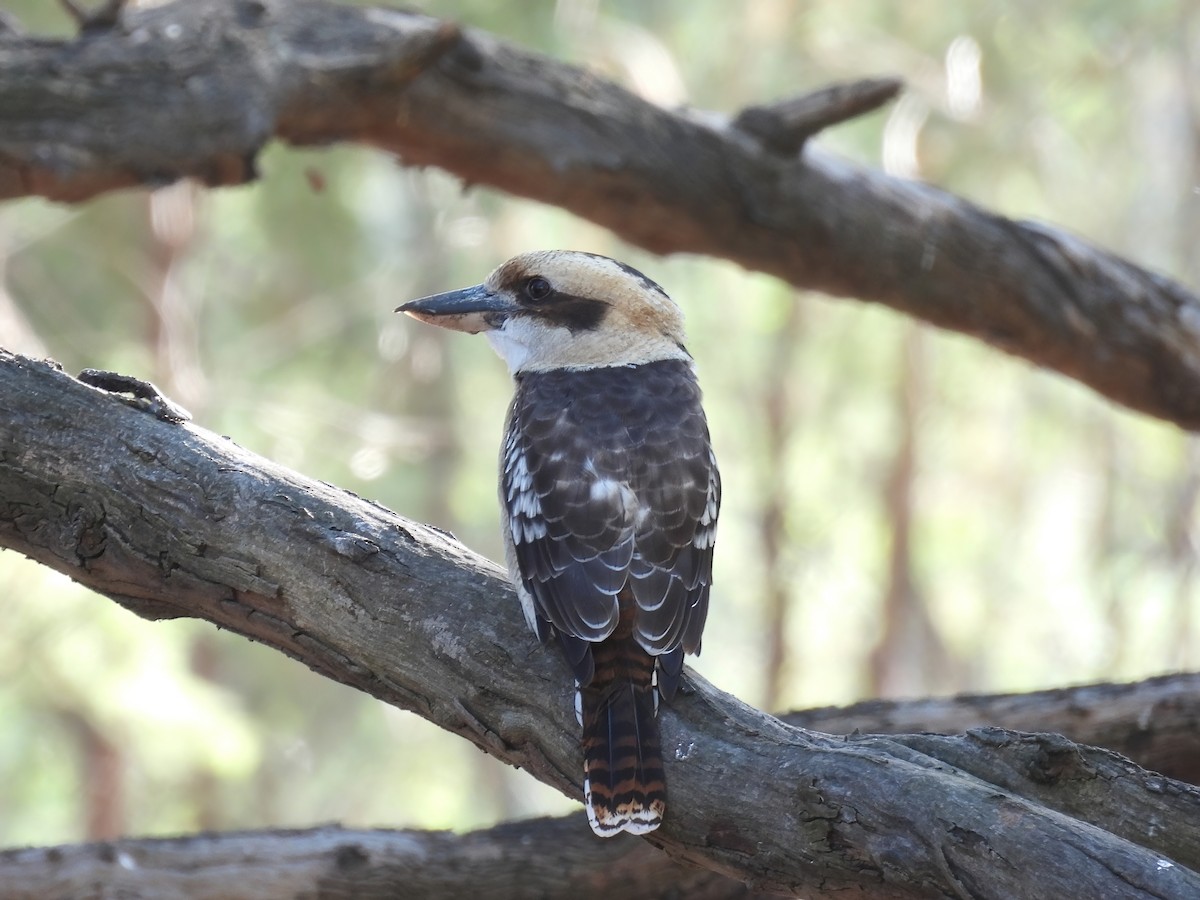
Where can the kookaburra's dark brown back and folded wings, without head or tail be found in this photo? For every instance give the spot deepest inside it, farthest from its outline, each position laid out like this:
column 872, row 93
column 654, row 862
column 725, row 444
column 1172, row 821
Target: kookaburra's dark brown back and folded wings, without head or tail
column 609, row 479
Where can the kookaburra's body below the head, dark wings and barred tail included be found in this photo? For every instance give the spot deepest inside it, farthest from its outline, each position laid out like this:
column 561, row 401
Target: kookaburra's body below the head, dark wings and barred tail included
column 610, row 490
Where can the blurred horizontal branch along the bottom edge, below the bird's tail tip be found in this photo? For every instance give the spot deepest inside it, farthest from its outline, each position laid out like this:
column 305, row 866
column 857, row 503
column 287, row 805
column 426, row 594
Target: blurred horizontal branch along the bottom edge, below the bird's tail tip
column 539, row 859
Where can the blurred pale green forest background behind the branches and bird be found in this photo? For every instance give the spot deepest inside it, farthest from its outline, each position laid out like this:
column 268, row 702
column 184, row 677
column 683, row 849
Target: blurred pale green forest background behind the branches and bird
column 908, row 513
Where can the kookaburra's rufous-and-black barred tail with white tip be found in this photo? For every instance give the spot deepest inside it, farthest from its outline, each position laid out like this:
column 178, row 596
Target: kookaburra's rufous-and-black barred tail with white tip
column 623, row 783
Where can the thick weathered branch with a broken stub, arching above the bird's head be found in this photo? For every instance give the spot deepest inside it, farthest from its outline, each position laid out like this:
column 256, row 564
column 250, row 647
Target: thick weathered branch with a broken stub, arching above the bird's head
column 199, row 88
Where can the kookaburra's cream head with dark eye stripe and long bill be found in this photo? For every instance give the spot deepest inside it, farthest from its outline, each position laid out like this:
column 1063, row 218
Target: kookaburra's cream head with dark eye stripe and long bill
column 562, row 309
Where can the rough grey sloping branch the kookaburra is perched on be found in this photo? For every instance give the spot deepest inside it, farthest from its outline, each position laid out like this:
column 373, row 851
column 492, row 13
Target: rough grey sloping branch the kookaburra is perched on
column 170, row 520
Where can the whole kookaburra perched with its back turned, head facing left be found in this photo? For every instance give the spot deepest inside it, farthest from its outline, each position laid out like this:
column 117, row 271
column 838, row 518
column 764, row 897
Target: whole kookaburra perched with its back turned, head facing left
column 610, row 495
